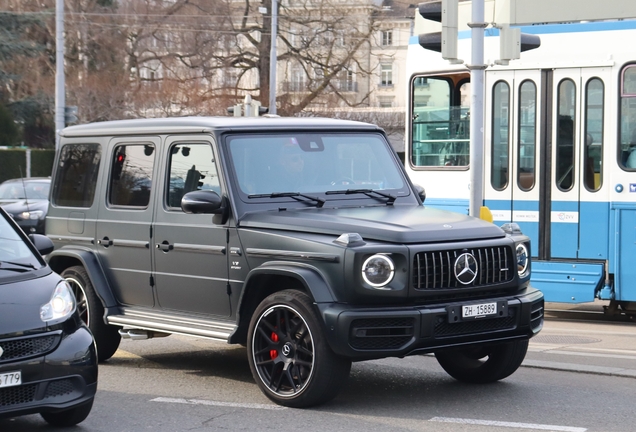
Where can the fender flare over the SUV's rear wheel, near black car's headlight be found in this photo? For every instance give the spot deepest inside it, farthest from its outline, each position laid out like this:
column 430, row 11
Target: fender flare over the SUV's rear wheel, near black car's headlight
column 61, row 259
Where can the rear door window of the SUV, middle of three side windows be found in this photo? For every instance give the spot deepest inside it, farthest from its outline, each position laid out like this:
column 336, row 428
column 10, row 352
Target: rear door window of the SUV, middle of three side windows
column 131, row 175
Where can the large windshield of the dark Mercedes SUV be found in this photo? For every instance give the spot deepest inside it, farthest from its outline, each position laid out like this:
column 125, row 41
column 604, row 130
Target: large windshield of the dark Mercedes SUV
column 314, row 163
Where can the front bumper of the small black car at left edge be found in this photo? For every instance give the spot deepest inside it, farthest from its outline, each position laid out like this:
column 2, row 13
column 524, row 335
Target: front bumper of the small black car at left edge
column 66, row 376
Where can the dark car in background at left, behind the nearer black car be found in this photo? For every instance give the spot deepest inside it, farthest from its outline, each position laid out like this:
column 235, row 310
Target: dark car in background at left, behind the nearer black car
column 27, row 200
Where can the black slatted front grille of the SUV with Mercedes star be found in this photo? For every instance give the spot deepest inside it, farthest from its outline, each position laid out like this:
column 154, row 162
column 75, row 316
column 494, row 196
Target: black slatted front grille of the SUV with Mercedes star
column 435, row 270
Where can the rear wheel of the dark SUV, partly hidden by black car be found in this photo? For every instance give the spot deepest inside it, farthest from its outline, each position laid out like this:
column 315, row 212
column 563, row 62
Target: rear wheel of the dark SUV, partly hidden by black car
column 91, row 310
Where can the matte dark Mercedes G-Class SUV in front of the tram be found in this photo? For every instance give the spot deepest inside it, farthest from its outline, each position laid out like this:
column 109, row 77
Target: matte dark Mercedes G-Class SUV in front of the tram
column 301, row 238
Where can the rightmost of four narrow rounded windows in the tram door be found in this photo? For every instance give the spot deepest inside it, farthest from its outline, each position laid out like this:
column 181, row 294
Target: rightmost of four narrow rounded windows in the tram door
column 593, row 145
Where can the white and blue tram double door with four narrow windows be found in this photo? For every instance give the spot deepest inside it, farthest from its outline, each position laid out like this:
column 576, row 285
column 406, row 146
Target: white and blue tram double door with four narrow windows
column 544, row 158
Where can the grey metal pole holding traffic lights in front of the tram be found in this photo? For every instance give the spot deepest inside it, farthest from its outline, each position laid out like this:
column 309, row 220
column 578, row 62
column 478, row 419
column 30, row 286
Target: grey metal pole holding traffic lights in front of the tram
column 477, row 73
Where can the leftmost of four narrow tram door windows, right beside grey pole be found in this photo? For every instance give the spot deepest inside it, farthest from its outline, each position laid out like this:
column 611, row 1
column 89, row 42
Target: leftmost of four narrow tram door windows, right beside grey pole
column 500, row 135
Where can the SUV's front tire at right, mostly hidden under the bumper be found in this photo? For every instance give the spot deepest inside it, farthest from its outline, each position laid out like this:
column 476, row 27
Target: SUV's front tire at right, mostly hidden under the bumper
column 483, row 365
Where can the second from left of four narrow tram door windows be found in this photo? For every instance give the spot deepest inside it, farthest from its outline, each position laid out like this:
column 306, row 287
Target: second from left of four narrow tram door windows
column 527, row 135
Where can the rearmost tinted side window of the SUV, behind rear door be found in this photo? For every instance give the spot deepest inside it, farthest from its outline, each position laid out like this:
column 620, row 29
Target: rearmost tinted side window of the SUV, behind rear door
column 76, row 175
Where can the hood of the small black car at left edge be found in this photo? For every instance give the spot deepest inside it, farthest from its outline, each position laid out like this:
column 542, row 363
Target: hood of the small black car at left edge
column 20, row 303
